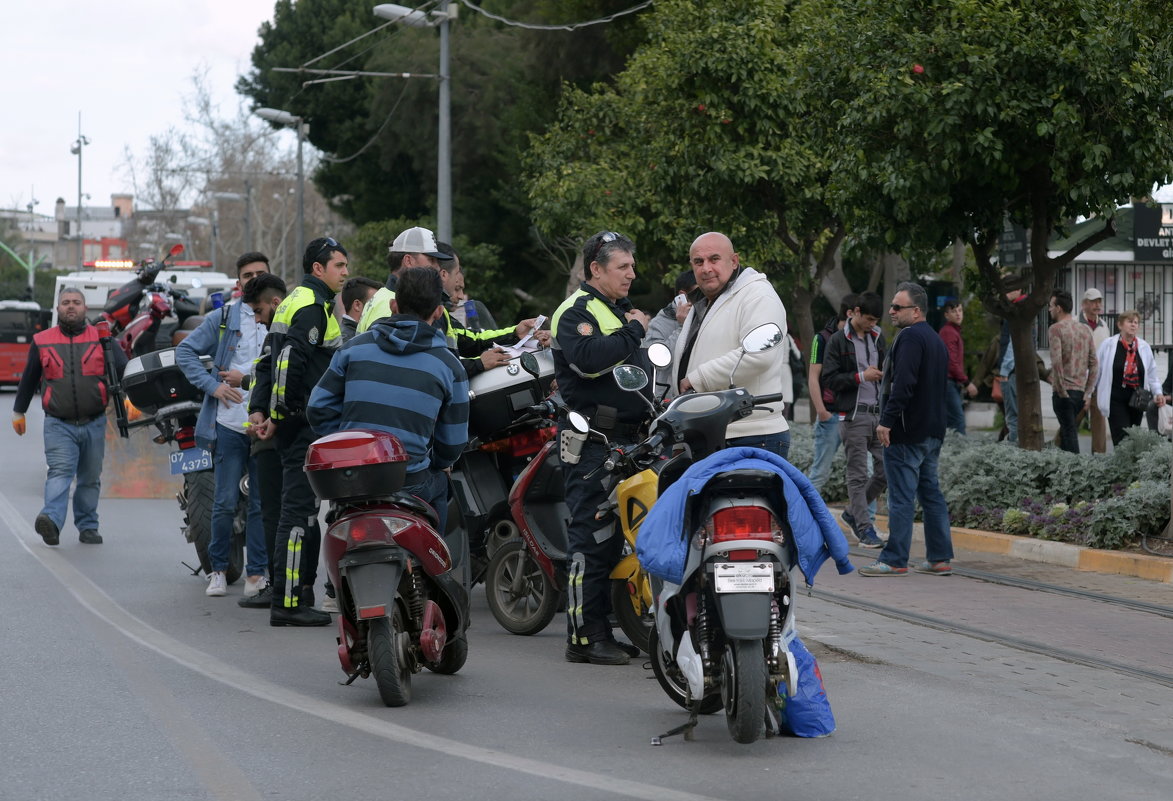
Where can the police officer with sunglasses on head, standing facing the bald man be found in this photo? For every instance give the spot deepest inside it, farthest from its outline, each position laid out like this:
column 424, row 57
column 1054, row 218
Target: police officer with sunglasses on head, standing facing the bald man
column 595, row 330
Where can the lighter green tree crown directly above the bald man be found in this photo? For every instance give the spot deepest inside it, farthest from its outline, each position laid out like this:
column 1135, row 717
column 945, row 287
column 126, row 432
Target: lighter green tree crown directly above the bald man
column 699, row 133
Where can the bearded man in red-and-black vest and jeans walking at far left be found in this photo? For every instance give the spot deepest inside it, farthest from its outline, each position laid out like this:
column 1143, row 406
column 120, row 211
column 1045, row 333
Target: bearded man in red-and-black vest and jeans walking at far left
column 70, row 364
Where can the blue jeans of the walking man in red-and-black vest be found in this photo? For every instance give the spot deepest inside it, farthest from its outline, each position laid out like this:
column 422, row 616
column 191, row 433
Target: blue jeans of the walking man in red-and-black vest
column 74, row 451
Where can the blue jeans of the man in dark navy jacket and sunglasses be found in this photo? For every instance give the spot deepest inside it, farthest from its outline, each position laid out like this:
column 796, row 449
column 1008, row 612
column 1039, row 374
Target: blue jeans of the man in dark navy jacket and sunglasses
column 912, row 473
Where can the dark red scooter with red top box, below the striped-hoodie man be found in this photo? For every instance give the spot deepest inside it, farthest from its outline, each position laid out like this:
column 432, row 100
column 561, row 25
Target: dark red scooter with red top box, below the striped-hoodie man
column 402, row 596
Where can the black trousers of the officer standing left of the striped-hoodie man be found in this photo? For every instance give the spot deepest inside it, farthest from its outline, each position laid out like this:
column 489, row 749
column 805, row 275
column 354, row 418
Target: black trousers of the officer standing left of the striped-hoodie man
column 299, row 534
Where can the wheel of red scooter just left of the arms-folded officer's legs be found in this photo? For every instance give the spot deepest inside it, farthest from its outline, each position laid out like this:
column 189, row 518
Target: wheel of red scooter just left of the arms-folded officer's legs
column 521, row 598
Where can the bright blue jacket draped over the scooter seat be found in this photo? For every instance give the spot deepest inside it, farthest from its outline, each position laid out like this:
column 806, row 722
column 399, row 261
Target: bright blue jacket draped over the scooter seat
column 663, row 545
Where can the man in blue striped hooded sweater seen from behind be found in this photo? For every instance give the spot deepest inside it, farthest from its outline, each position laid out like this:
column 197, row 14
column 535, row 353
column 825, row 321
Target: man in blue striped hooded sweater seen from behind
column 401, row 377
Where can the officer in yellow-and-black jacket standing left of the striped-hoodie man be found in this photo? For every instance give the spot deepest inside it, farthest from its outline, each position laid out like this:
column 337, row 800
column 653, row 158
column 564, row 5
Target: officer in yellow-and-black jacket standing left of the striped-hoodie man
column 302, row 341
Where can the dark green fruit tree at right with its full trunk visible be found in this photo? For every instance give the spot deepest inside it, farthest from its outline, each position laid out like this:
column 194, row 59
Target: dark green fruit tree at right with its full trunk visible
column 945, row 119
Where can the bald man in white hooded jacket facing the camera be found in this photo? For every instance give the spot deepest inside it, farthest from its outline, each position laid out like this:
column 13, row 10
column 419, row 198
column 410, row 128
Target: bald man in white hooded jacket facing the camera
column 735, row 301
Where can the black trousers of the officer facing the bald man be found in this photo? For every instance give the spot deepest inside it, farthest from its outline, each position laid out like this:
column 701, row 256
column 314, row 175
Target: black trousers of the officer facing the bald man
column 593, row 549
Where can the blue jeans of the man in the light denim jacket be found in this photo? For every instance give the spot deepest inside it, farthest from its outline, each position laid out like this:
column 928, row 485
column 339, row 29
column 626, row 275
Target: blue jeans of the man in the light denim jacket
column 232, row 459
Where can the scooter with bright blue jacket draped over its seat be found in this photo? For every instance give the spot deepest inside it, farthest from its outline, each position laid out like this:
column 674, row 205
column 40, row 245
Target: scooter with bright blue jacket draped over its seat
column 721, row 544
